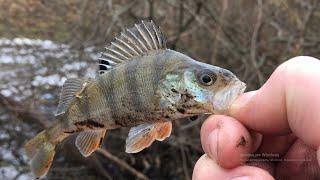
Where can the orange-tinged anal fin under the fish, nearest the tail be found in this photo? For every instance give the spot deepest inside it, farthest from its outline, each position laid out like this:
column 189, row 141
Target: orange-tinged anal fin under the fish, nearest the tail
column 89, row 141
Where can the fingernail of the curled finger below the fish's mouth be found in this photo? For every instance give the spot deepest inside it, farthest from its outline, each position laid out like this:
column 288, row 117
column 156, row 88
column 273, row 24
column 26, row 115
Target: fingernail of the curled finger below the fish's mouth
column 213, row 144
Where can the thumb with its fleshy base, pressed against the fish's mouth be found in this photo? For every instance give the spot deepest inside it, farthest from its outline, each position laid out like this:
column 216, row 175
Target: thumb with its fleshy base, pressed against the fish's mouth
column 288, row 101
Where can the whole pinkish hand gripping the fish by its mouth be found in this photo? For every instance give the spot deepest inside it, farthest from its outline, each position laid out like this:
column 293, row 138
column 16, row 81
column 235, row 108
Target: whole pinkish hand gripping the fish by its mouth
column 271, row 133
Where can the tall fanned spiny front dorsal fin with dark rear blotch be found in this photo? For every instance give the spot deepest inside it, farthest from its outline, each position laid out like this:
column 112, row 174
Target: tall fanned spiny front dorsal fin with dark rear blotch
column 136, row 41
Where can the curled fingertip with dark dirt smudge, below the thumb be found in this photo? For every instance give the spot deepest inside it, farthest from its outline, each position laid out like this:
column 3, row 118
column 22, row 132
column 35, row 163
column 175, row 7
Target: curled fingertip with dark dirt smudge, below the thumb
column 226, row 141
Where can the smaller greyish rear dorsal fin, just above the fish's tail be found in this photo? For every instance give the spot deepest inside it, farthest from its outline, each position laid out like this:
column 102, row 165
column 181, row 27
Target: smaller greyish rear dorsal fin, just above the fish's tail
column 69, row 90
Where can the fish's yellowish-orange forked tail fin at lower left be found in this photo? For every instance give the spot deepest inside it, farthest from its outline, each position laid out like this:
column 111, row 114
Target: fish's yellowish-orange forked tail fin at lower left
column 41, row 149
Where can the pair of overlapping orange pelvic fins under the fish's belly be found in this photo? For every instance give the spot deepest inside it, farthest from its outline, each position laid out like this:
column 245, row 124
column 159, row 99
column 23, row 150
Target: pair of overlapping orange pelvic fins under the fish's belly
column 142, row 136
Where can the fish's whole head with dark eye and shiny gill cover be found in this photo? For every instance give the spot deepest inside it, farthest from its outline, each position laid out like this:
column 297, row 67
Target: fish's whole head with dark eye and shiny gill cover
column 199, row 88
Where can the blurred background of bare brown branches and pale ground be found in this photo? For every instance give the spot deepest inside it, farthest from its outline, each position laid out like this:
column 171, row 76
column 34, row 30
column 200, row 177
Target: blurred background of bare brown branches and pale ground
column 43, row 42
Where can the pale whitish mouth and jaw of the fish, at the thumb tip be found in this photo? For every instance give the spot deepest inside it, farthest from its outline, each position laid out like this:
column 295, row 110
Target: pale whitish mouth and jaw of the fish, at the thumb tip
column 224, row 98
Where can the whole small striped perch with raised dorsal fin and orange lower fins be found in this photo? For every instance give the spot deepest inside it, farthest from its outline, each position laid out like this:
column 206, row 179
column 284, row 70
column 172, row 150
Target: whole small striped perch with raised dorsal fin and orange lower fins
column 142, row 85
